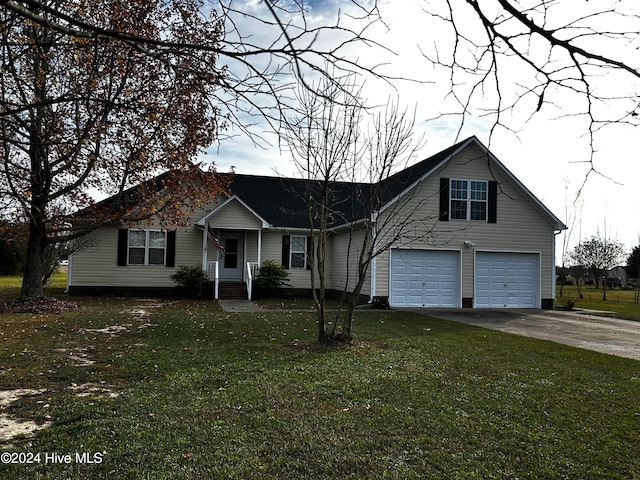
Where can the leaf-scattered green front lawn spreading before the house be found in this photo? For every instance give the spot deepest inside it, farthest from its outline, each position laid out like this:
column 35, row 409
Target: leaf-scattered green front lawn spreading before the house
column 202, row 393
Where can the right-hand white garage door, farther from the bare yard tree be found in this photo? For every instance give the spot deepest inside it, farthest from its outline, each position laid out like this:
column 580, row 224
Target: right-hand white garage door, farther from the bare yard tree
column 507, row 280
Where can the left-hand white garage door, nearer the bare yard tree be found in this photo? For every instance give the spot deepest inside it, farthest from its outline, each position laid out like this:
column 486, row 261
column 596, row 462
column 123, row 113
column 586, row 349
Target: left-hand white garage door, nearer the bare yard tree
column 425, row 278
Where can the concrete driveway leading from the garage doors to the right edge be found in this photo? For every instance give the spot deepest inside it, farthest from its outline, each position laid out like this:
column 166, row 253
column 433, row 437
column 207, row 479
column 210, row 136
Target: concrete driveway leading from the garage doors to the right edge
column 601, row 334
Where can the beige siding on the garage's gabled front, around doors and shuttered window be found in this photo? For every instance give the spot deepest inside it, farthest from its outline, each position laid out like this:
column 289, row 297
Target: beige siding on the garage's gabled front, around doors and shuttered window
column 520, row 227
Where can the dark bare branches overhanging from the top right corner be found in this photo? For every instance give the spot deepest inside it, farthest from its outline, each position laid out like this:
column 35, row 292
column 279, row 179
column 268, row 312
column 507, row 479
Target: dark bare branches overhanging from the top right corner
column 510, row 58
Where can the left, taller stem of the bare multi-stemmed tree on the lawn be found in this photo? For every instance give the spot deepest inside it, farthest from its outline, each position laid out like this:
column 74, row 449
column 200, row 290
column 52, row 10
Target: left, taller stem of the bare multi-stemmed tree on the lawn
column 324, row 138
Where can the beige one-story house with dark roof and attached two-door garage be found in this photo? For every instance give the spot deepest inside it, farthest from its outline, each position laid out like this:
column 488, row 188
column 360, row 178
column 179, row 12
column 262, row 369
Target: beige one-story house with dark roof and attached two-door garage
column 491, row 242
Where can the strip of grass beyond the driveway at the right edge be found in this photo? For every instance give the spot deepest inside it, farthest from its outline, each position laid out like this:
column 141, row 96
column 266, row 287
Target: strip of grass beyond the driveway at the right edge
column 619, row 301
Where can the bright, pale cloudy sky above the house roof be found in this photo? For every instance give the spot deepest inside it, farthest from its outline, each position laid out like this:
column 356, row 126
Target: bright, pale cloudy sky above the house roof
column 547, row 151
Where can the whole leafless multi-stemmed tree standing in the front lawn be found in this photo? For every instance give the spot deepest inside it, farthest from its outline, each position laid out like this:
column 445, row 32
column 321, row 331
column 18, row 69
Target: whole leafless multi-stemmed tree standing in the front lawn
column 349, row 171
